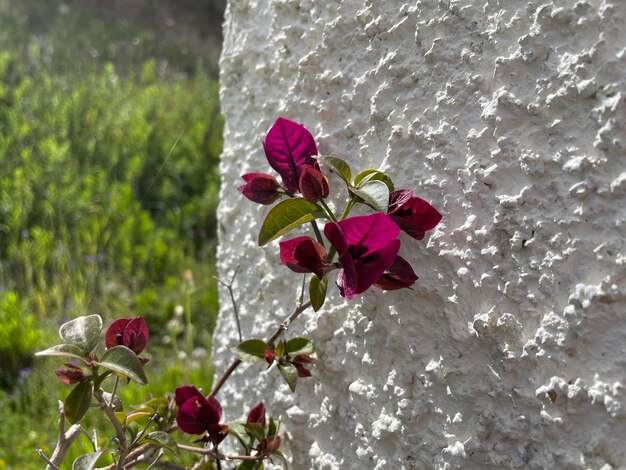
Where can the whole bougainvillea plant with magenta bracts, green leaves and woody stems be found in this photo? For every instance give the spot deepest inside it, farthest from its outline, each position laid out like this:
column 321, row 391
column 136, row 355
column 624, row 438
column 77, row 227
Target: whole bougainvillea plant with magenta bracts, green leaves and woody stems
column 359, row 251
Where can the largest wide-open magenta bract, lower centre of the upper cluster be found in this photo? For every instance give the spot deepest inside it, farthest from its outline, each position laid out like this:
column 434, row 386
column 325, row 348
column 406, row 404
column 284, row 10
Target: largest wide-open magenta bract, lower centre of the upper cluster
column 367, row 246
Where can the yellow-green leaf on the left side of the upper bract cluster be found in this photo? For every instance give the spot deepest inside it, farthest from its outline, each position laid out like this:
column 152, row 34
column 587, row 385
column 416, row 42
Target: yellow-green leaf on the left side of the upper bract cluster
column 285, row 216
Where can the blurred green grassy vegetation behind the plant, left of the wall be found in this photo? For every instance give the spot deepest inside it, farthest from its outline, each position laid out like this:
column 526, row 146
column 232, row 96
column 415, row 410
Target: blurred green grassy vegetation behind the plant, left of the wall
column 110, row 136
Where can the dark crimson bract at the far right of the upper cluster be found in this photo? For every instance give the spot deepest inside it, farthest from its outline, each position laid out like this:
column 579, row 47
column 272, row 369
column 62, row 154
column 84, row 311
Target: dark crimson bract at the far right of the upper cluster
column 412, row 214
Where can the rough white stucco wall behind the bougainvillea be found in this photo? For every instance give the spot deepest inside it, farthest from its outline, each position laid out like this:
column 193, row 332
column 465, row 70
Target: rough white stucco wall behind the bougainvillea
column 508, row 116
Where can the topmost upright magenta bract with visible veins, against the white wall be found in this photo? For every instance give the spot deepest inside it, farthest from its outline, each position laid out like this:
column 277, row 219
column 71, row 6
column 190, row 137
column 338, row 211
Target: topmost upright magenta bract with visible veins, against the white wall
column 289, row 147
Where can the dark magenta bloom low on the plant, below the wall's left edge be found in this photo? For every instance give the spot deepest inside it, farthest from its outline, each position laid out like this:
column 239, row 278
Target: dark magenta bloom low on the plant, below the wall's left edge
column 197, row 414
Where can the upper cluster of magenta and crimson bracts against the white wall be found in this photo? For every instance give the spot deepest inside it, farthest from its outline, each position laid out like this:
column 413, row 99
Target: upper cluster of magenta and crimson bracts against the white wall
column 367, row 246
